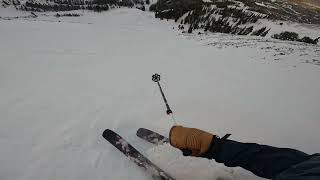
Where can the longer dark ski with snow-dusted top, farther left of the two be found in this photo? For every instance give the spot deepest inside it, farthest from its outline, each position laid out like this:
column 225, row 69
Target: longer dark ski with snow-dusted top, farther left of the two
column 135, row 156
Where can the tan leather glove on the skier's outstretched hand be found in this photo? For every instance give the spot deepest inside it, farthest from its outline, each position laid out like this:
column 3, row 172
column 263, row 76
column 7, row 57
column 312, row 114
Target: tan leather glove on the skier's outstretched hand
column 191, row 139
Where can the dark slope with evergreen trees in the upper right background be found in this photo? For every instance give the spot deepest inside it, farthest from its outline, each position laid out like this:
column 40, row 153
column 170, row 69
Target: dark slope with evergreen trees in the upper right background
column 234, row 17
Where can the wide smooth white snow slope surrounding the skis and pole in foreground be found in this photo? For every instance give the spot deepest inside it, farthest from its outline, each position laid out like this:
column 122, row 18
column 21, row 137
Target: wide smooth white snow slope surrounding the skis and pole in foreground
column 64, row 80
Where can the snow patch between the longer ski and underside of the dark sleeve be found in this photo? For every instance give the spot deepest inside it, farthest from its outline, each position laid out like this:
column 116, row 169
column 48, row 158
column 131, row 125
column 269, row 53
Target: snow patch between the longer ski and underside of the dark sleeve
column 182, row 167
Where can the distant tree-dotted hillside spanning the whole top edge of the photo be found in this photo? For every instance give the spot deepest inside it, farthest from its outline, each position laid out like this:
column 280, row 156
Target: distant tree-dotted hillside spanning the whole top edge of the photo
column 239, row 17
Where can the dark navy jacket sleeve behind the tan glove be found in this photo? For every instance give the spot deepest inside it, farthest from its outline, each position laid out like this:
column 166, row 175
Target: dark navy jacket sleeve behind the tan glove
column 264, row 161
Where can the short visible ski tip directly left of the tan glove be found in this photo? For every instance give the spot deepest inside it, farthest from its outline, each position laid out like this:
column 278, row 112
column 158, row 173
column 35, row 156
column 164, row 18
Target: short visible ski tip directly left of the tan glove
column 151, row 136
